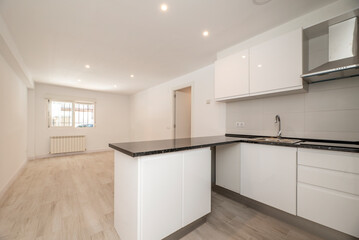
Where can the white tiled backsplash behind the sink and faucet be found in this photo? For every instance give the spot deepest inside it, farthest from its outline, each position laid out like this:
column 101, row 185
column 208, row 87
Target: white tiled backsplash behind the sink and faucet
column 329, row 110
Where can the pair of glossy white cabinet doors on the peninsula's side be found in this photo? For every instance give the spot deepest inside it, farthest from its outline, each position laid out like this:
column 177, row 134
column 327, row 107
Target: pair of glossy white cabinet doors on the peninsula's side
column 175, row 190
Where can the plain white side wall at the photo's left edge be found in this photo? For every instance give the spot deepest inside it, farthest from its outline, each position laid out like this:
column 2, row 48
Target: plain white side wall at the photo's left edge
column 13, row 124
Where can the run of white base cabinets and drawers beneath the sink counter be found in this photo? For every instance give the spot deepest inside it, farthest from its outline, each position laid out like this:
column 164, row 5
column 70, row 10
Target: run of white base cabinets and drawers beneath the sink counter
column 319, row 185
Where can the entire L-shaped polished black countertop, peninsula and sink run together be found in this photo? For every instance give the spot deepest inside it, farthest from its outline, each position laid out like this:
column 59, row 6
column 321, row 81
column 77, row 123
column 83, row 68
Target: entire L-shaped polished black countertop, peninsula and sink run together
column 136, row 149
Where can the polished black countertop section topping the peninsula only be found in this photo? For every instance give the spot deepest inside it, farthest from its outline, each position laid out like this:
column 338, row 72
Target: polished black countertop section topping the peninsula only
column 136, row 149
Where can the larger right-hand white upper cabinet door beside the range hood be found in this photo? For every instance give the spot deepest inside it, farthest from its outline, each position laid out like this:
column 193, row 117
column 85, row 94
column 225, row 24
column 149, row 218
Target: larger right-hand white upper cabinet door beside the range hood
column 276, row 65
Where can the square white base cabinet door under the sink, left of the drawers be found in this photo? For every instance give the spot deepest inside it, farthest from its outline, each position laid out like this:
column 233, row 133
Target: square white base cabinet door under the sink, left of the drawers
column 268, row 175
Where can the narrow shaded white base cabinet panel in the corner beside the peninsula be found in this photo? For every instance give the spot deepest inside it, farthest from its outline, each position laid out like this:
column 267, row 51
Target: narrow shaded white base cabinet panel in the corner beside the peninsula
column 228, row 166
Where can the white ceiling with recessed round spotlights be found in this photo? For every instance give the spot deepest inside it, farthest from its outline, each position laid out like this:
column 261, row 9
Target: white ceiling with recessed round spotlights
column 117, row 38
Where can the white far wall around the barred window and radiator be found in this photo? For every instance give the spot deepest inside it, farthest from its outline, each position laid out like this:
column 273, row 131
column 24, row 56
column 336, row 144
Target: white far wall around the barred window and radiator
column 112, row 118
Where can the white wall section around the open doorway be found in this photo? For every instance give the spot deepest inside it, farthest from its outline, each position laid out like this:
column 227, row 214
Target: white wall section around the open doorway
column 152, row 109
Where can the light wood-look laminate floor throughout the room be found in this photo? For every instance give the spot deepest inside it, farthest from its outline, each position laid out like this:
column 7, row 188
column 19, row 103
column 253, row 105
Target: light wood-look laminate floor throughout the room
column 72, row 198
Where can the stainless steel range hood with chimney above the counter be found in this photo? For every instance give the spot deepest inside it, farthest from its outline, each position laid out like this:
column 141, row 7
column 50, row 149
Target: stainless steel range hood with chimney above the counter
column 343, row 54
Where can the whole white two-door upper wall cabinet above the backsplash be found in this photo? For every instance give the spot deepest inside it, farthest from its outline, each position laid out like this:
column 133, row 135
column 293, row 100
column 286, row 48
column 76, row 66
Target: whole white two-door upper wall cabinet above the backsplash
column 272, row 67
